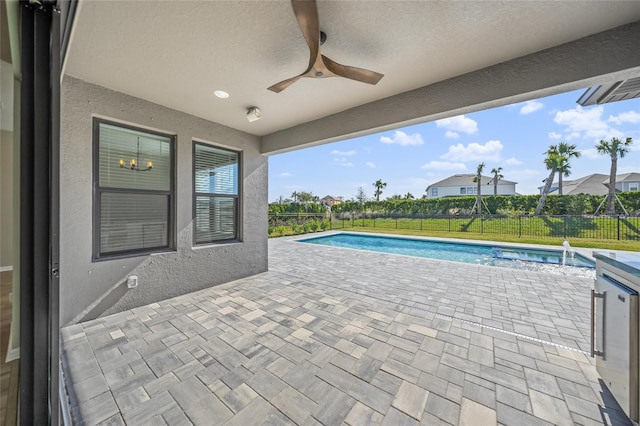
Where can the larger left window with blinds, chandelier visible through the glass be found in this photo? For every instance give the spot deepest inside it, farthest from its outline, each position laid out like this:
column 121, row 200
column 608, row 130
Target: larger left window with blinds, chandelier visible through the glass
column 133, row 181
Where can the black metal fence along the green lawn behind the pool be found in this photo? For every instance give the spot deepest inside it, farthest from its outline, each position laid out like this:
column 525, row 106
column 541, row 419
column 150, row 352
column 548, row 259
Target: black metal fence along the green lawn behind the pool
column 525, row 226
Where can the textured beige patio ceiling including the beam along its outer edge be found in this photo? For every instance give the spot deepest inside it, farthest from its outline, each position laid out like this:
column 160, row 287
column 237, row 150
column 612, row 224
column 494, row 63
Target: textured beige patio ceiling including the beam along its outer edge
column 438, row 59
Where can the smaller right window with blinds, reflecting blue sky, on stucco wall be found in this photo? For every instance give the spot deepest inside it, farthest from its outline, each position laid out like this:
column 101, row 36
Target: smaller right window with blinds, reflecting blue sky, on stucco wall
column 215, row 194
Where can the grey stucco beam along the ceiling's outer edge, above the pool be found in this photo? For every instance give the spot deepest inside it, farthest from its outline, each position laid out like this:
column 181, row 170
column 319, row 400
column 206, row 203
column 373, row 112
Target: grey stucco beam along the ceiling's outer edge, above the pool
column 610, row 55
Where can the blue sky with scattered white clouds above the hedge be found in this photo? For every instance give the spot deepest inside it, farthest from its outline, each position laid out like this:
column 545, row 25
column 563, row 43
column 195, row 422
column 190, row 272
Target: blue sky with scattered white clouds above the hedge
column 513, row 137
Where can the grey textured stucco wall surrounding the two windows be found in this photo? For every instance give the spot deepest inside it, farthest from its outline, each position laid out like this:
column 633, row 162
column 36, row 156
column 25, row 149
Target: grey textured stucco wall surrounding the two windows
column 84, row 283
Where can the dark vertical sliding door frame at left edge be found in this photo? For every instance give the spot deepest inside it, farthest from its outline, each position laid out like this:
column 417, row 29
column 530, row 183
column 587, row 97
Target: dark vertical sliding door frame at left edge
column 39, row 202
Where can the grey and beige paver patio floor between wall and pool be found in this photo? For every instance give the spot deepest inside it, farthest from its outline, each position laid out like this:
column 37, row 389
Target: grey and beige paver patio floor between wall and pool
column 334, row 336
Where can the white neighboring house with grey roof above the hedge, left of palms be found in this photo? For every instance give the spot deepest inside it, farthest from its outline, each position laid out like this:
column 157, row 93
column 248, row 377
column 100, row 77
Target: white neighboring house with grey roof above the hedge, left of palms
column 463, row 184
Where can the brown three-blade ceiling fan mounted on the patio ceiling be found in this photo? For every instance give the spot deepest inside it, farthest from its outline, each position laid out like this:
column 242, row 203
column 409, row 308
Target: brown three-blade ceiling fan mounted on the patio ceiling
column 320, row 66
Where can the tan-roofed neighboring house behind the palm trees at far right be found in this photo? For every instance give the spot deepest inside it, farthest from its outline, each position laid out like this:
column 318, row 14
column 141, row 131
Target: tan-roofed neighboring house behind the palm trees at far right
column 596, row 184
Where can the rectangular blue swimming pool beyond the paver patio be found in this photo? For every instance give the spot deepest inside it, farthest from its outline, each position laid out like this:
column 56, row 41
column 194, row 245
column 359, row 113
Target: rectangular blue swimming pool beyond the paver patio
column 479, row 254
